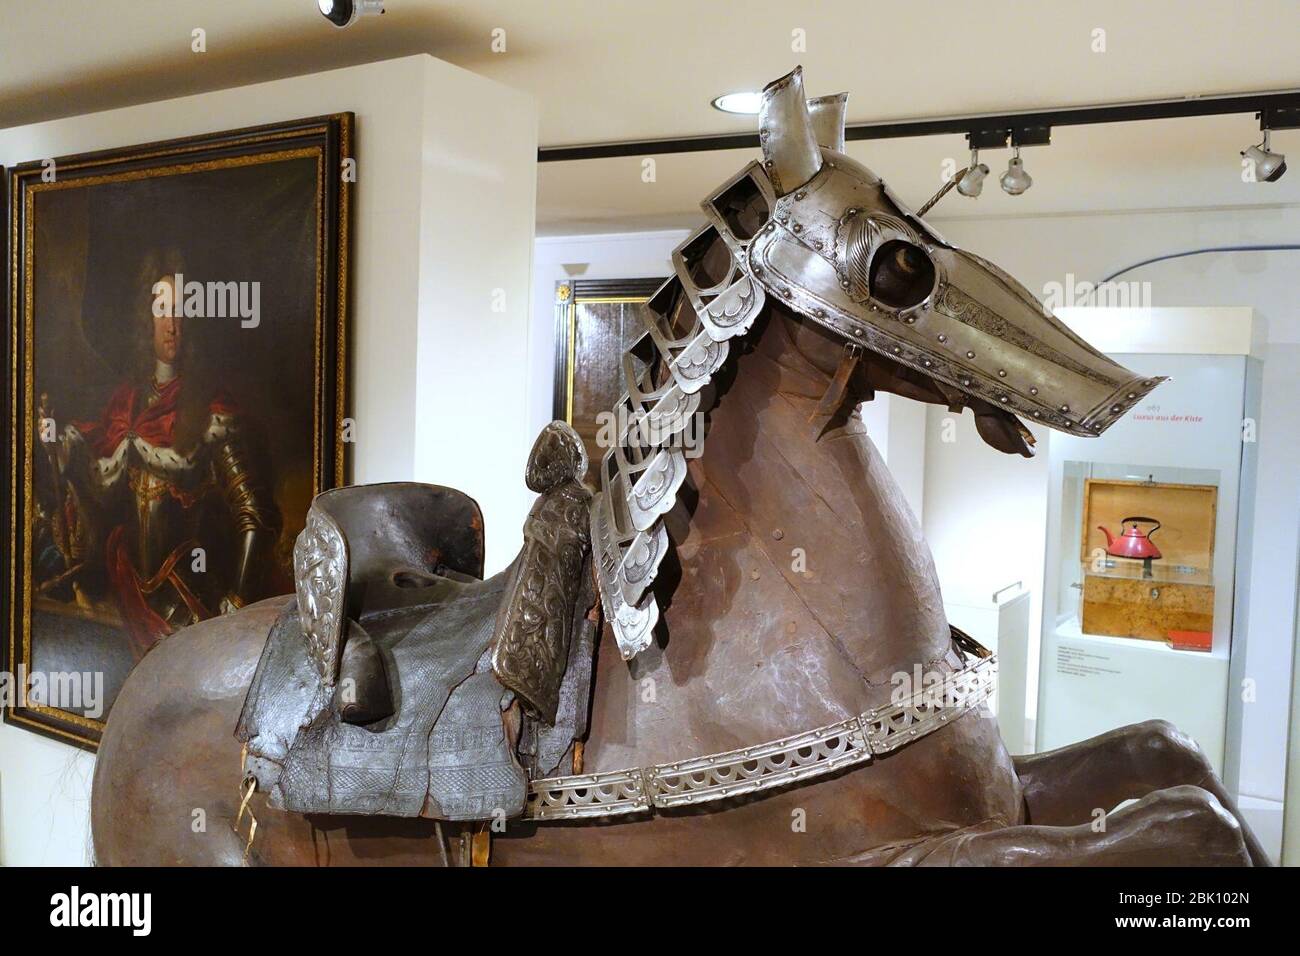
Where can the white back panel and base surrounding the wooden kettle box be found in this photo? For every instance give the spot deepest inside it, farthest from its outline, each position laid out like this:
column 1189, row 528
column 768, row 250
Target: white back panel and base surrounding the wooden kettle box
column 1191, row 426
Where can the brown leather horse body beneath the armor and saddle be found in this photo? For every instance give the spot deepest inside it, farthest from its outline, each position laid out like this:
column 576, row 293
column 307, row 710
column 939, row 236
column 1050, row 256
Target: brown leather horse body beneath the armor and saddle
column 798, row 591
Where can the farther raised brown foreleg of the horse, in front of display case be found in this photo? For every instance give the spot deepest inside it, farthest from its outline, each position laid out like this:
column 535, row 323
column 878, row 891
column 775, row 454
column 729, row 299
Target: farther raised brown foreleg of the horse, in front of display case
column 1067, row 786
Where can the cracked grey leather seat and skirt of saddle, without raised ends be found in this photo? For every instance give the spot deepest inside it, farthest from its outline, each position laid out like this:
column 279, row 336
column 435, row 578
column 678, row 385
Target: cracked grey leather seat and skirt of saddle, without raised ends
column 443, row 754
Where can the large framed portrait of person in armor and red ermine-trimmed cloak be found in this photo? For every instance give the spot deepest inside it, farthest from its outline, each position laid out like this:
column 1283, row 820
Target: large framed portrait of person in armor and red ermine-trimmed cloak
column 177, row 380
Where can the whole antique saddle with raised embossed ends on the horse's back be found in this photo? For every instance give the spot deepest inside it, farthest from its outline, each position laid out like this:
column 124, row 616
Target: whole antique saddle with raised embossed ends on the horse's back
column 398, row 682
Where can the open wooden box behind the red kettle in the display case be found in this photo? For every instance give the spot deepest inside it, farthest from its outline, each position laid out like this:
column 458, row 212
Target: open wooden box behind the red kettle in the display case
column 1119, row 599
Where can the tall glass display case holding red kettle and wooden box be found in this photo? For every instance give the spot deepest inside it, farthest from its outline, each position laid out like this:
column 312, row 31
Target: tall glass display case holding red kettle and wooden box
column 1149, row 537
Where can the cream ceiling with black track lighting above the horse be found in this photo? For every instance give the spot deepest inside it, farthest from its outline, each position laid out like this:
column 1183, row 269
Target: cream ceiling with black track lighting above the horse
column 606, row 72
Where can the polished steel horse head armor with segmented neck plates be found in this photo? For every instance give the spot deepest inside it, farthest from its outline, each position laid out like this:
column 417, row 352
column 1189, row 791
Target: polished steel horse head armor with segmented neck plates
column 812, row 231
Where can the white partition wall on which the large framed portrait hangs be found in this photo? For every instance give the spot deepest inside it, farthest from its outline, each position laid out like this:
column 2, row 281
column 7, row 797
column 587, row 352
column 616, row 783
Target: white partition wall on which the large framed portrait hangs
column 444, row 217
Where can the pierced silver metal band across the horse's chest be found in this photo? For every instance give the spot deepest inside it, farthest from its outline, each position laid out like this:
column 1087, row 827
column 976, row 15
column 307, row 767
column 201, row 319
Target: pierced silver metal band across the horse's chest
column 766, row 767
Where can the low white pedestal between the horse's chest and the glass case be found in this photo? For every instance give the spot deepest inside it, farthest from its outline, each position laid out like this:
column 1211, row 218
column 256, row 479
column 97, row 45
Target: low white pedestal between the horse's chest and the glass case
column 1003, row 626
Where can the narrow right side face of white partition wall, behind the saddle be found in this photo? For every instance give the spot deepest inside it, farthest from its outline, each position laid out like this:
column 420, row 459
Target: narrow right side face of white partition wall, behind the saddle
column 478, row 210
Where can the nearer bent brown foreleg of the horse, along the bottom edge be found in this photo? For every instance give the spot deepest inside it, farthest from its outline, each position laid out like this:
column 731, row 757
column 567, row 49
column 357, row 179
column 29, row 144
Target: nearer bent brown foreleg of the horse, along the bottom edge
column 1181, row 827
